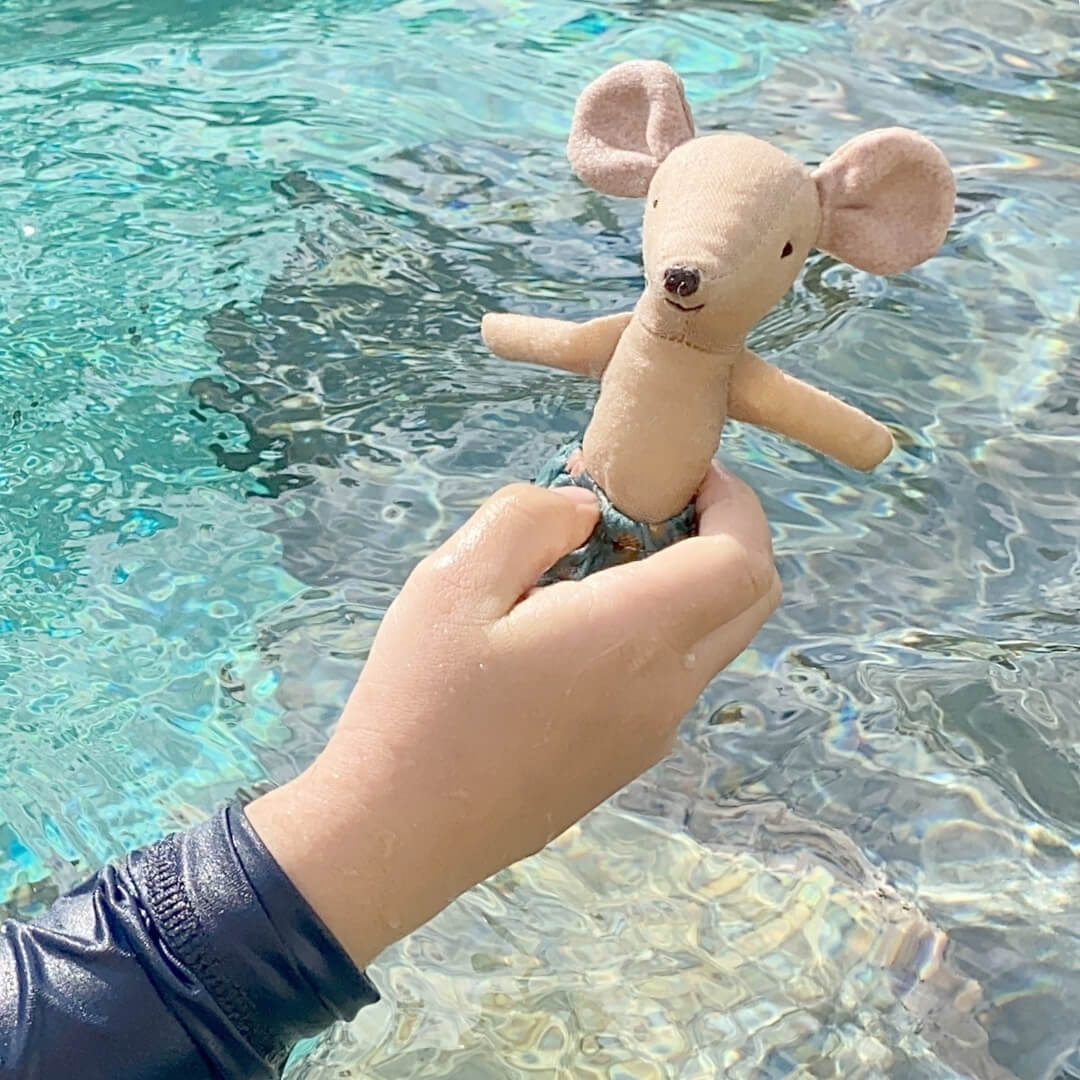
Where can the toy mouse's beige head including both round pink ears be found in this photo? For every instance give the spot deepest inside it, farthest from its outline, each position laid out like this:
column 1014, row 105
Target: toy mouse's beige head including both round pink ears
column 731, row 220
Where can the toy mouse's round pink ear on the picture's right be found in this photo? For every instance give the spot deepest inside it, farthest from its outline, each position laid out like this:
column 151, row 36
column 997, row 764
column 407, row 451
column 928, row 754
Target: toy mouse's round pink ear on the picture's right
column 888, row 198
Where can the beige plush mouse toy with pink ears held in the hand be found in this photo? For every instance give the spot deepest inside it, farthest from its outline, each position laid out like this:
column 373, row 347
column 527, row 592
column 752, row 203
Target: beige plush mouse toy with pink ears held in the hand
column 730, row 221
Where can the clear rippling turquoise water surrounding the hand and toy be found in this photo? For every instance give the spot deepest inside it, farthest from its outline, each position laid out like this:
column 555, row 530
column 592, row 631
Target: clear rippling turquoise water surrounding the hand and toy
column 248, row 248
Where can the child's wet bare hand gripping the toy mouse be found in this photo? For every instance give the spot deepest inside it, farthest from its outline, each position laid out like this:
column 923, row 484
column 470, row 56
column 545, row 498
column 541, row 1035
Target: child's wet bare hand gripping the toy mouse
column 487, row 724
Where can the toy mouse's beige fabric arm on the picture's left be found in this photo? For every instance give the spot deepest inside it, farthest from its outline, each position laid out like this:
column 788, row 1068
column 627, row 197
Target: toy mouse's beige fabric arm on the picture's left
column 583, row 348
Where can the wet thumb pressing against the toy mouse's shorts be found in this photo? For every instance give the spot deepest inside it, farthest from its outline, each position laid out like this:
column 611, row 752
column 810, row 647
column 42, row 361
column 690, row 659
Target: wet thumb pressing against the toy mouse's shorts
column 502, row 552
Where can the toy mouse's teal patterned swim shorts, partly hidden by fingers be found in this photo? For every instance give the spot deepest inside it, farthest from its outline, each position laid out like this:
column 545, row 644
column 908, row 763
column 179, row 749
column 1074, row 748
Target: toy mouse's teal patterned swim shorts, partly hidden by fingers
column 617, row 538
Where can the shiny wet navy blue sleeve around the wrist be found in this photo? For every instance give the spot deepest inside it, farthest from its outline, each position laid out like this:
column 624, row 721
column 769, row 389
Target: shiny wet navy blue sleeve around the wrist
column 193, row 960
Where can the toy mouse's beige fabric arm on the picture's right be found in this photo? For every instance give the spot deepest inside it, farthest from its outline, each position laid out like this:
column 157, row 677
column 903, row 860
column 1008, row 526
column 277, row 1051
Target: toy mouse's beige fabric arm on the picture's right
column 762, row 395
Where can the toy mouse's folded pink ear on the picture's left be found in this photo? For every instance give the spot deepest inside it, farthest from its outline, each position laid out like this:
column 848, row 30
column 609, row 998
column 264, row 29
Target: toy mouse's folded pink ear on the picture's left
column 625, row 126
